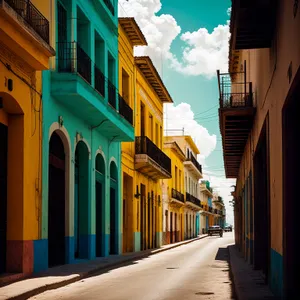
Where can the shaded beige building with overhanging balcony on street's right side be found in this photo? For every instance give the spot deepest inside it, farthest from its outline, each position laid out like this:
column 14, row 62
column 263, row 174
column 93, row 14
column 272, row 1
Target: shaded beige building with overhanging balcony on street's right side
column 259, row 121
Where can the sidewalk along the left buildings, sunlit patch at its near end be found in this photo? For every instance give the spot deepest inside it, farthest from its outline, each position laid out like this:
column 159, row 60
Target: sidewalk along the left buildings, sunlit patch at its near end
column 63, row 275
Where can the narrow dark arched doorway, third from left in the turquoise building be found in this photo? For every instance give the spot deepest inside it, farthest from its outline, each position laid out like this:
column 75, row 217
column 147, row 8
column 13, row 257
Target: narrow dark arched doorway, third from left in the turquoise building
column 100, row 204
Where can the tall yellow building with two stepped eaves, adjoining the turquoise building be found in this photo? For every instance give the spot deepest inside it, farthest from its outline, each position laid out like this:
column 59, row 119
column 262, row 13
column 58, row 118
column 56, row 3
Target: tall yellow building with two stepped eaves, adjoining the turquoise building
column 143, row 162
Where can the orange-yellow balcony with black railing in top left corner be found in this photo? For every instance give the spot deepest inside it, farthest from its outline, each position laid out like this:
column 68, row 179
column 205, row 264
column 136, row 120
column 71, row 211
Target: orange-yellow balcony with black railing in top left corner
column 25, row 28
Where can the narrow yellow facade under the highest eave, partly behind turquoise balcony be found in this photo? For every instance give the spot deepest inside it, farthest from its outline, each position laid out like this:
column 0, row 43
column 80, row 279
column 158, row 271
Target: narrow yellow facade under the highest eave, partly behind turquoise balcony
column 130, row 35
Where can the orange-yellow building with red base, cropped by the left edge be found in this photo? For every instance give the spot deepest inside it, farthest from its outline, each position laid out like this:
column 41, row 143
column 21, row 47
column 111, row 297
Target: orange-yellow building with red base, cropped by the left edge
column 25, row 48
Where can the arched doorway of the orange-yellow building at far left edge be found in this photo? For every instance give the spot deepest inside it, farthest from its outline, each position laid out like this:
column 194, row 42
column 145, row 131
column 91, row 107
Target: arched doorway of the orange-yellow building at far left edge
column 11, row 184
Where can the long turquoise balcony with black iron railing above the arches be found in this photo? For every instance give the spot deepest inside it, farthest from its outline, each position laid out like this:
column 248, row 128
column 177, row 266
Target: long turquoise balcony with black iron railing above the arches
column 82, row 87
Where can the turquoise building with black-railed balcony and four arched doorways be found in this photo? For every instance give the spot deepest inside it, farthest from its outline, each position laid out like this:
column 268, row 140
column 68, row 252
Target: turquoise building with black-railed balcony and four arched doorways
column 84, row 121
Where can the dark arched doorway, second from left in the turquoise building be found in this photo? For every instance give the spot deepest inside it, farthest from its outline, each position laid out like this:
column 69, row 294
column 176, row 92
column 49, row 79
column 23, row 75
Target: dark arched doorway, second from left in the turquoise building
column 81, row 200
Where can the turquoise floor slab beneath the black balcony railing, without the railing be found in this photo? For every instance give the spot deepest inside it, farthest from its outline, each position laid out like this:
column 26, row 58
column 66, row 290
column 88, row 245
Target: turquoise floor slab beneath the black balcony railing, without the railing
column 85, row 102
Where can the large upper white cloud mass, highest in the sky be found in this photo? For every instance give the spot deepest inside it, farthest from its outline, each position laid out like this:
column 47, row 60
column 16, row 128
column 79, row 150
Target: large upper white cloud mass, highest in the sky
column 203, row 52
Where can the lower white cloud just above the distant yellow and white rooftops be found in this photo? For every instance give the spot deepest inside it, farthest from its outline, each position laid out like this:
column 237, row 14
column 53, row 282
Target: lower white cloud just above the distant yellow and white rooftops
column 181, row 116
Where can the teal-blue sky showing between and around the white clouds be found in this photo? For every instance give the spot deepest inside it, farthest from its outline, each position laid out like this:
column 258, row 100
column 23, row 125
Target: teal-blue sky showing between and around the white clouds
column 201, row 93
